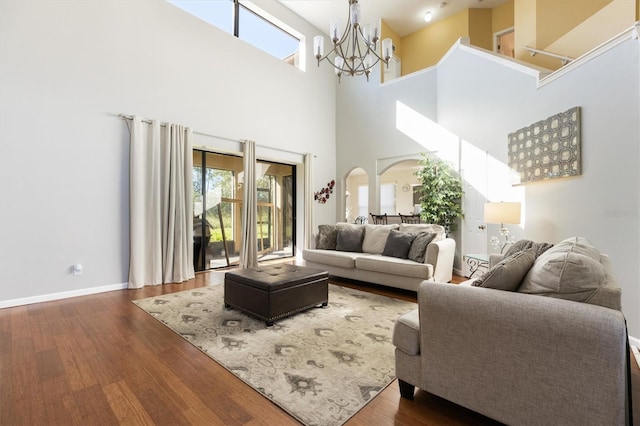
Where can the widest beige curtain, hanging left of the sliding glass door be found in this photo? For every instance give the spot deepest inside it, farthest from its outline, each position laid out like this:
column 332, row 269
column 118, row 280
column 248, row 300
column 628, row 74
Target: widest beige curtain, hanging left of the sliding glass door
column 160, row 203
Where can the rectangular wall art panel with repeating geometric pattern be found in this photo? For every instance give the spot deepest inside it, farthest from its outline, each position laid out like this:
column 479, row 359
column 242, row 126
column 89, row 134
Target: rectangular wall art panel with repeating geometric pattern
column 548, row 149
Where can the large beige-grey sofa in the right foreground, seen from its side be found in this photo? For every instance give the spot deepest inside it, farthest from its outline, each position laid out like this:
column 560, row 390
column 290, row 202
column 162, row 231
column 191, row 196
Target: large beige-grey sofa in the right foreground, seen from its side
column 517, row 357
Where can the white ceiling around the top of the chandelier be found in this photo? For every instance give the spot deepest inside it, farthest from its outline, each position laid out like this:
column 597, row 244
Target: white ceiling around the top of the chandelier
column 403, row 16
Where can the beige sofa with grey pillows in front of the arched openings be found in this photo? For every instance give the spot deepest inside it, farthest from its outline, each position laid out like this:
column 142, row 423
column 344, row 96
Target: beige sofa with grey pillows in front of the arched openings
column 370, row 264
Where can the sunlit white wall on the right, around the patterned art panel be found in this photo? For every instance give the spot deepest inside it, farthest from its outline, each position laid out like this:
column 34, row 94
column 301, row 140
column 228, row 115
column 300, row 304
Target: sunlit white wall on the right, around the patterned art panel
column 480, row 100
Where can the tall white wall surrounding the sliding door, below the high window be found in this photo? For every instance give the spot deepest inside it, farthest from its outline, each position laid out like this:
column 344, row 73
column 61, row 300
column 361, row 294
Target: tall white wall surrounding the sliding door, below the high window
column 67, row 67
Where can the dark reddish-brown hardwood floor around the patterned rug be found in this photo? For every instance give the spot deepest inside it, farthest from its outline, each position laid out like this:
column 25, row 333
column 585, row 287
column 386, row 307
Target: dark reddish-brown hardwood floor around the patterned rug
column 100, row 360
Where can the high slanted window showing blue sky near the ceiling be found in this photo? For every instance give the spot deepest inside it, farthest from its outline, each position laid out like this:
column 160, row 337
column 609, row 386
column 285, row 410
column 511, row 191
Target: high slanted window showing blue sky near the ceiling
column 253, row 26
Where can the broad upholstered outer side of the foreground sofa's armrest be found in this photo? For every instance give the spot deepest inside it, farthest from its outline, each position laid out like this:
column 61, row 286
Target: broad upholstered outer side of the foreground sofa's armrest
column 522, row 358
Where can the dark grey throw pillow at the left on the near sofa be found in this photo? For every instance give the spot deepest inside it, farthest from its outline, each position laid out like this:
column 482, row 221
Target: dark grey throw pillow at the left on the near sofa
column 509, row 272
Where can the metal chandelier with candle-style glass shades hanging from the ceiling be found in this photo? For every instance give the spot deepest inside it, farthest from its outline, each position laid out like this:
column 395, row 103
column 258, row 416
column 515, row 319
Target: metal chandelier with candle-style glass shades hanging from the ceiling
column 355, row 51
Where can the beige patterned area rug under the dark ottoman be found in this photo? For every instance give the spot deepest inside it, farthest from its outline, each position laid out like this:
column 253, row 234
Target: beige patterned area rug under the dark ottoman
column 321, row 365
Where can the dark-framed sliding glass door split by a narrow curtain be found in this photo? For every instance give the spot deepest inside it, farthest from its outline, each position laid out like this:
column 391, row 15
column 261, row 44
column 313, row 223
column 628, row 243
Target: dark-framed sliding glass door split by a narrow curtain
column 217, row 204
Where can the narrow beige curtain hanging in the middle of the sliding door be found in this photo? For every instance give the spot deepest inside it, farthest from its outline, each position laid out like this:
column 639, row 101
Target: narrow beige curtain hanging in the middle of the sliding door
column 249, row 253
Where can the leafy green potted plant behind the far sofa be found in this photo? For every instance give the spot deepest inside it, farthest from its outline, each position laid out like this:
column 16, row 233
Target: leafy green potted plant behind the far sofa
column 441, row 188
